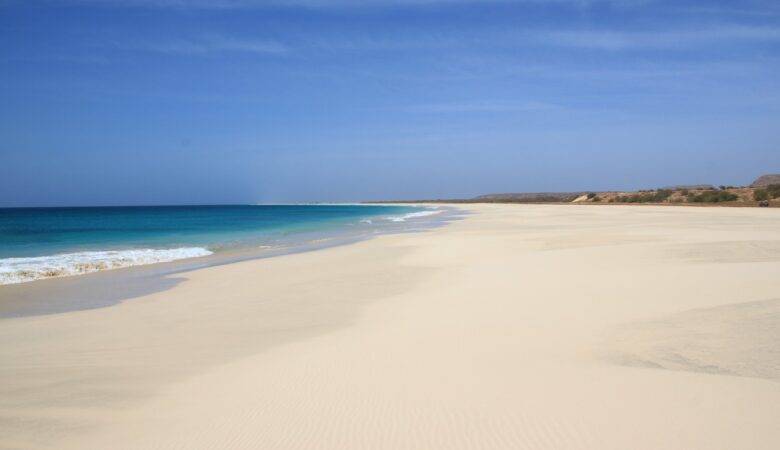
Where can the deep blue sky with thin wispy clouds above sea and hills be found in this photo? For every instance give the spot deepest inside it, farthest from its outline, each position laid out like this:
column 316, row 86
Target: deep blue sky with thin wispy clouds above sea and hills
column 166, row 101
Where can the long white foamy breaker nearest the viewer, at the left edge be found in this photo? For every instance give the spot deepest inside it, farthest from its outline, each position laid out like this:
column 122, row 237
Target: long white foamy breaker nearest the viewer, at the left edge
column 21, row 270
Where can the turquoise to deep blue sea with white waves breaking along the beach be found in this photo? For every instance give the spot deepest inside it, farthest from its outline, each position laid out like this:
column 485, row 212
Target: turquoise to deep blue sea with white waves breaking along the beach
column 38, row 243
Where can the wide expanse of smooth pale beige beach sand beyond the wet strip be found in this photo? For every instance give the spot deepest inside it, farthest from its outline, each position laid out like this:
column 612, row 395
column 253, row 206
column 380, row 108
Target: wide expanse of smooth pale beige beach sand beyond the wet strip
column 520, row 327
